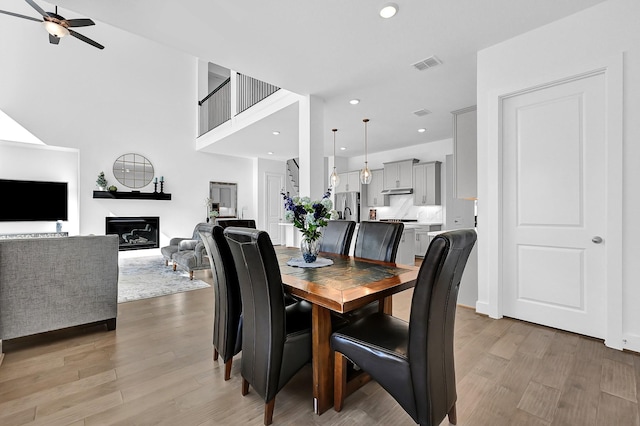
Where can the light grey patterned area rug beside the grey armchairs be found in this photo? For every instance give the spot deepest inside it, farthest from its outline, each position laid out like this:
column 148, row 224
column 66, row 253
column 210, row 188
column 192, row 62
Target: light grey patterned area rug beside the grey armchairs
column 145, row 277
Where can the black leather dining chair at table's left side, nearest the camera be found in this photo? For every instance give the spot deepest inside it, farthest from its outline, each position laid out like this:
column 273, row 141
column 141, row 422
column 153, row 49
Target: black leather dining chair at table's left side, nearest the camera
column 276, row 338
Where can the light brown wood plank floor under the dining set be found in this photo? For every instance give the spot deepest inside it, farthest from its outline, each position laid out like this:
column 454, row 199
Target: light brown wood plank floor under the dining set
column 157, row 368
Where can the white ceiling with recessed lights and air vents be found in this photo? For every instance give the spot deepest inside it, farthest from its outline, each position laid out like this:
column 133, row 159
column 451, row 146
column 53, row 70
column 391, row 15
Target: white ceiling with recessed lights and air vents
column 338, row 50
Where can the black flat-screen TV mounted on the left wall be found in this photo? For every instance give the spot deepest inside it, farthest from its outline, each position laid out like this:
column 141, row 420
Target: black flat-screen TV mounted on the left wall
column 26, row 200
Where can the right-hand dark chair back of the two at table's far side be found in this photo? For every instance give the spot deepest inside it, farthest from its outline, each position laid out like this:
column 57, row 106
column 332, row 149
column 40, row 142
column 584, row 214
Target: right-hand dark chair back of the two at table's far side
column 378, row 240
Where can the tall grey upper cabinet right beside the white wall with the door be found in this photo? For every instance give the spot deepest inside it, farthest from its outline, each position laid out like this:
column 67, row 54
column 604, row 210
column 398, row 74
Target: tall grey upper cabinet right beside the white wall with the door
column 465, row 153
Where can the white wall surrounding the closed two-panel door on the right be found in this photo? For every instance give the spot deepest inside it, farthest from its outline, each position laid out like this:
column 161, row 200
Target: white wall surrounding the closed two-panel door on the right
column 564, row 48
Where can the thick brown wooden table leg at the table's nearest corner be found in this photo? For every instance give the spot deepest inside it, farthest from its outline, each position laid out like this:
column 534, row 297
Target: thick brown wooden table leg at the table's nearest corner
column 322, row 360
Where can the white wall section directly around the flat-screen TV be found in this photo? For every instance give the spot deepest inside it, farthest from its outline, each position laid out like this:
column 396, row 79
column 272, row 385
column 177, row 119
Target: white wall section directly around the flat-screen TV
column 31, row 162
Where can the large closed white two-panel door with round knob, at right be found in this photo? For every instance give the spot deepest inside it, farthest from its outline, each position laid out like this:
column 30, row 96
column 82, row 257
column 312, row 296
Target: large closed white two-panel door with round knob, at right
column 554, row 192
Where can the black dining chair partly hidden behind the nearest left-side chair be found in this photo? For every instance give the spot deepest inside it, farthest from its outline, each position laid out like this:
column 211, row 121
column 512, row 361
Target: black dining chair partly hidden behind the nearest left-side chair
column 227, row 314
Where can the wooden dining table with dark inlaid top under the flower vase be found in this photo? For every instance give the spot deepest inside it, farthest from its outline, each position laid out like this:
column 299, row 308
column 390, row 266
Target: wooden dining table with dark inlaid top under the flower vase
column 349, row 283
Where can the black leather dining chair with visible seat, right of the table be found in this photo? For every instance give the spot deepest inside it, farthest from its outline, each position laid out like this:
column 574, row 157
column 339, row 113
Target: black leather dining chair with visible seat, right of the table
column 413, row 361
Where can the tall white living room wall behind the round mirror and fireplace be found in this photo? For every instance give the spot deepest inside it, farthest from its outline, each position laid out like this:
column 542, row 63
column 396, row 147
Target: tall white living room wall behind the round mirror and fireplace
column 133, row 96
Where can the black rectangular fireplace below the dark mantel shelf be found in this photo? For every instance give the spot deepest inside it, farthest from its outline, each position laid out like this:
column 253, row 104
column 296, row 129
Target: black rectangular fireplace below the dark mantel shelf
column 135, row 233
